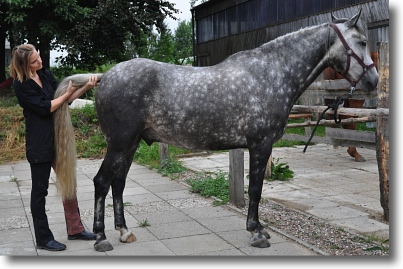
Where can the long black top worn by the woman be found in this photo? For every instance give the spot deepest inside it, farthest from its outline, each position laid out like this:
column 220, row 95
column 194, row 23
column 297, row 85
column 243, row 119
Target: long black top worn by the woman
column 36, row 102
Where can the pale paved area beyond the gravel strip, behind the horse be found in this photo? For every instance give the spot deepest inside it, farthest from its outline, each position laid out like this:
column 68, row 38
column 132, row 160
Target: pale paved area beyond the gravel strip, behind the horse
column 327, row 183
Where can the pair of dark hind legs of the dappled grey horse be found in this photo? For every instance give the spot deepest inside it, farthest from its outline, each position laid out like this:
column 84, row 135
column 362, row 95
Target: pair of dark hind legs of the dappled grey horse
column 113, row 173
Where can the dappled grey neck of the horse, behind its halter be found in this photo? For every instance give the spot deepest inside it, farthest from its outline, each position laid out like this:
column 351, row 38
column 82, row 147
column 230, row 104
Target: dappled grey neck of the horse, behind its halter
column 300, row 55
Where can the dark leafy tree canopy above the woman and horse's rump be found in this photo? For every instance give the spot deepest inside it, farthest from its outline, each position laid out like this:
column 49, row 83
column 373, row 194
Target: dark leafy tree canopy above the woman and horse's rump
column 92, row 32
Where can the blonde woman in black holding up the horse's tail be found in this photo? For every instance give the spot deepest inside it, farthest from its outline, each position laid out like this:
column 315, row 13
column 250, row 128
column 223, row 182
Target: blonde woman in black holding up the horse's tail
column 35, row 88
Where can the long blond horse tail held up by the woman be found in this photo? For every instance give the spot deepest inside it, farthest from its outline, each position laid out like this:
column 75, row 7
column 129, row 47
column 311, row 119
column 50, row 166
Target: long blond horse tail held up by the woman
column 65, row 147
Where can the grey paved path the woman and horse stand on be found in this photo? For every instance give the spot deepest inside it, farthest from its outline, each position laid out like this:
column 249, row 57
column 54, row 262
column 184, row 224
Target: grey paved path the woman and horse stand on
column 181, row 223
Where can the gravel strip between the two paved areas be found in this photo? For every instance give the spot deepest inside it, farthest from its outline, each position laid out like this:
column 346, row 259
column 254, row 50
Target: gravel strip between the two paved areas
column 311, row 231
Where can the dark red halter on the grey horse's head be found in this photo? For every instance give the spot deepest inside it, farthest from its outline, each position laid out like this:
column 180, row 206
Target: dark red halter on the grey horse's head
column 350, row 53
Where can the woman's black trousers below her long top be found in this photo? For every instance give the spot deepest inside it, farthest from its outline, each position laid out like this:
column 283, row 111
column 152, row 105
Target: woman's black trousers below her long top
column 40, row 173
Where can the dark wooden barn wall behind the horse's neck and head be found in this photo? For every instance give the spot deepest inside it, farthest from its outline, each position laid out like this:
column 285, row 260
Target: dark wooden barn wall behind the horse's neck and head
column 375, row 18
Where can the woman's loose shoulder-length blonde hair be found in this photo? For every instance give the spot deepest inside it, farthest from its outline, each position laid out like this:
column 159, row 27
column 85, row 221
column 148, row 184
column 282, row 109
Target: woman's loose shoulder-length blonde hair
column 19, row 67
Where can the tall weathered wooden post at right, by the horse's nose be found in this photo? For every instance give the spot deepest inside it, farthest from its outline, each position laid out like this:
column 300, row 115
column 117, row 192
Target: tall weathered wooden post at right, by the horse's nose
column 382, row 127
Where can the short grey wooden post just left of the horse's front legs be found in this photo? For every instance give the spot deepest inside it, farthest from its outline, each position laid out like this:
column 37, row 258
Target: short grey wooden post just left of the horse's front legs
column 236, row 177
